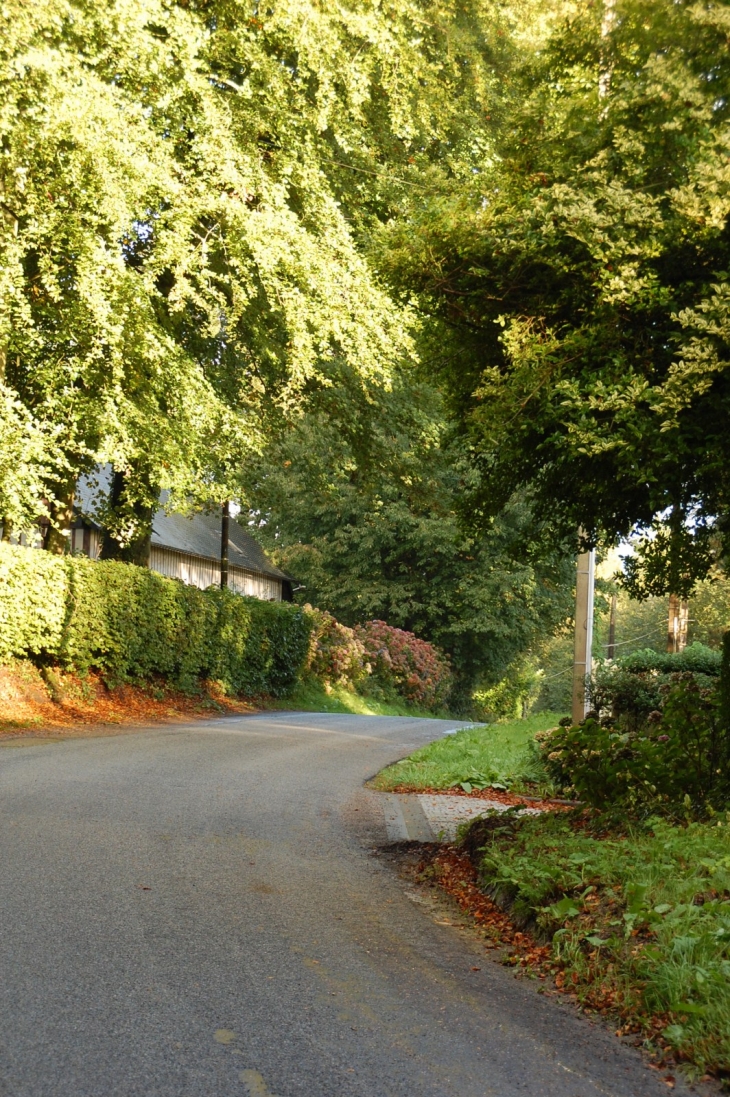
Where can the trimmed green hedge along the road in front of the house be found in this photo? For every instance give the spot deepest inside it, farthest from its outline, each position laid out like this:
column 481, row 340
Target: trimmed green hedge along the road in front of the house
column 132, row 625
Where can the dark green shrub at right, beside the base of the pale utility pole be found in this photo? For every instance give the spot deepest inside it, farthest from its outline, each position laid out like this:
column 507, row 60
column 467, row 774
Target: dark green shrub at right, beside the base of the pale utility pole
column 658, row 740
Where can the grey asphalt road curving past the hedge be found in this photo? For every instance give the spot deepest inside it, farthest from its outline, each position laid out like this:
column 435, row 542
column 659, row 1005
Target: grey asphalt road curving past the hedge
column 198, row 912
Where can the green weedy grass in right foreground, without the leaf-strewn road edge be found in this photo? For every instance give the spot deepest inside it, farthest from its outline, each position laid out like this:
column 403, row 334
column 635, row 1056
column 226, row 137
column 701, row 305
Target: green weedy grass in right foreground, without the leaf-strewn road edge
column 639, row 919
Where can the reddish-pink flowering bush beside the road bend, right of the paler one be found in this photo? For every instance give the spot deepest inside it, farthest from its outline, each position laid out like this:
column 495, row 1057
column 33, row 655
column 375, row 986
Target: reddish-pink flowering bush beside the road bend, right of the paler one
column 405, row 665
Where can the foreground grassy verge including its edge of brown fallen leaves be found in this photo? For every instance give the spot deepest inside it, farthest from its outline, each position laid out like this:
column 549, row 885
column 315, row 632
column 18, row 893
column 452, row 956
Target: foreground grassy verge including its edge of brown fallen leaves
column 632, row 923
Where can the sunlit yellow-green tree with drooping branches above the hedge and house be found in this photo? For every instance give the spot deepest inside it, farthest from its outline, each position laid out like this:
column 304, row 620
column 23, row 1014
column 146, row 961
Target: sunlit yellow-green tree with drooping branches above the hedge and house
column 176, row 264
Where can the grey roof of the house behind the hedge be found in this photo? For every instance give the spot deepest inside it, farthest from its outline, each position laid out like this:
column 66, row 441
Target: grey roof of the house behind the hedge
column 198, row 536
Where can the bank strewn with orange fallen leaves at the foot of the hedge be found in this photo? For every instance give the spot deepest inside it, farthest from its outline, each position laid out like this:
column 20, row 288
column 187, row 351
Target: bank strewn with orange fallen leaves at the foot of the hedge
column 36, row 704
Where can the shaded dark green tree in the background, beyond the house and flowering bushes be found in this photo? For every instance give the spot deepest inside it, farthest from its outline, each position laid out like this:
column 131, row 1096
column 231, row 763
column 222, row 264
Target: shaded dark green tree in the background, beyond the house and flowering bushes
column 360, row 502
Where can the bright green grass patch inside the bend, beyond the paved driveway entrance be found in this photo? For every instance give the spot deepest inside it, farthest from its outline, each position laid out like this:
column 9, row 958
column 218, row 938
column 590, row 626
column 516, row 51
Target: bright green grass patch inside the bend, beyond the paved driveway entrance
column 487, row 755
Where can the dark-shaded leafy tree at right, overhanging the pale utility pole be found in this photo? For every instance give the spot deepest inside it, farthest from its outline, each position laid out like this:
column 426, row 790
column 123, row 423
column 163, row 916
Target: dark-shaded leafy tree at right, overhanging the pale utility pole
column 577, row 288
